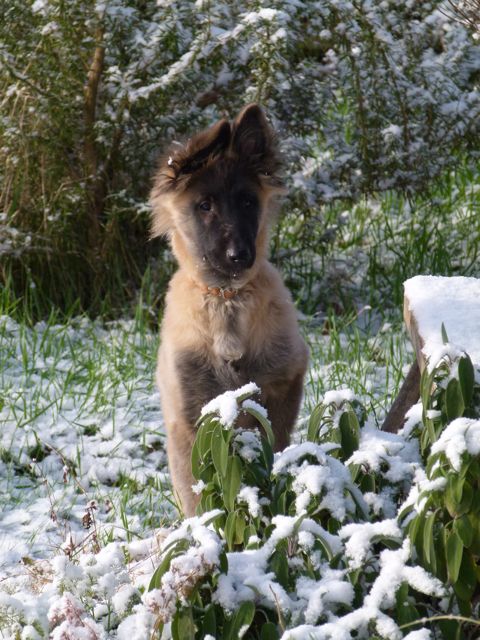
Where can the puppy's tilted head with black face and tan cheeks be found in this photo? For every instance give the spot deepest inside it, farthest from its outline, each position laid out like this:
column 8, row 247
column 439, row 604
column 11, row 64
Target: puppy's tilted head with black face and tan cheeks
column 213, row 197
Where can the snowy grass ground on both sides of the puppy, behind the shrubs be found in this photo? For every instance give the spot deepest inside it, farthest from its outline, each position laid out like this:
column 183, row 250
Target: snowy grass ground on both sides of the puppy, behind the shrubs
column 84, row 486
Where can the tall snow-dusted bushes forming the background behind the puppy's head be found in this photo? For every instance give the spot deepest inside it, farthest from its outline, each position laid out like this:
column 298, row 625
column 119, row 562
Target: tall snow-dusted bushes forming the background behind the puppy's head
column 363, row 95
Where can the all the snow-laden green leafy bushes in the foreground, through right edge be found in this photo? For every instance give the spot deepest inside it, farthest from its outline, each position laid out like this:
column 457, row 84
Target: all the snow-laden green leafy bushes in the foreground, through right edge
column 352, row 533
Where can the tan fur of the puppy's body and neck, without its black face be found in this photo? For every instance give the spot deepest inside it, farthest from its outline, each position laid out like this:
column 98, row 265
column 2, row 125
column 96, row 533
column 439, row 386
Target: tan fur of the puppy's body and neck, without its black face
column 197, row 327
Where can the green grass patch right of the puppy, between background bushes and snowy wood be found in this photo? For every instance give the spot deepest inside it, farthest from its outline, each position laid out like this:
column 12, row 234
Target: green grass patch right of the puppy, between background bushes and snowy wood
column 357, row 254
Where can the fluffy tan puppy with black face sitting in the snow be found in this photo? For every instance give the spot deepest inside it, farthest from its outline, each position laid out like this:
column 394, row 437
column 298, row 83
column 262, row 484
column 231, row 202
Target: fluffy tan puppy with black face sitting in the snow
column 229, row 319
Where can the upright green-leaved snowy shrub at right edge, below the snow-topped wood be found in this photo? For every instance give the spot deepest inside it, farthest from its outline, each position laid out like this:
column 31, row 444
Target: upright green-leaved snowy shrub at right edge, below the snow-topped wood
column 445, row 528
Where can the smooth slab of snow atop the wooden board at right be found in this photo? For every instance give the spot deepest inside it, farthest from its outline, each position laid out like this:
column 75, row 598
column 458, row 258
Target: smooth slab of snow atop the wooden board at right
column 453, row 301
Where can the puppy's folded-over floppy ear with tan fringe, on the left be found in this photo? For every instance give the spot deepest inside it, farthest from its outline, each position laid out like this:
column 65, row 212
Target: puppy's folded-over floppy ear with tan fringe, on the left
column 177, row 167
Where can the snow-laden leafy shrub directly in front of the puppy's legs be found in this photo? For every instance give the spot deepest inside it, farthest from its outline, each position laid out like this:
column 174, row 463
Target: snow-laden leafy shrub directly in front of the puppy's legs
column 288, row 545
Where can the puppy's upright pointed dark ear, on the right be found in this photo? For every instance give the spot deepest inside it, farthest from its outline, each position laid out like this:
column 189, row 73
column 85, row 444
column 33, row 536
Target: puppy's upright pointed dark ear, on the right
column 253, row 140
